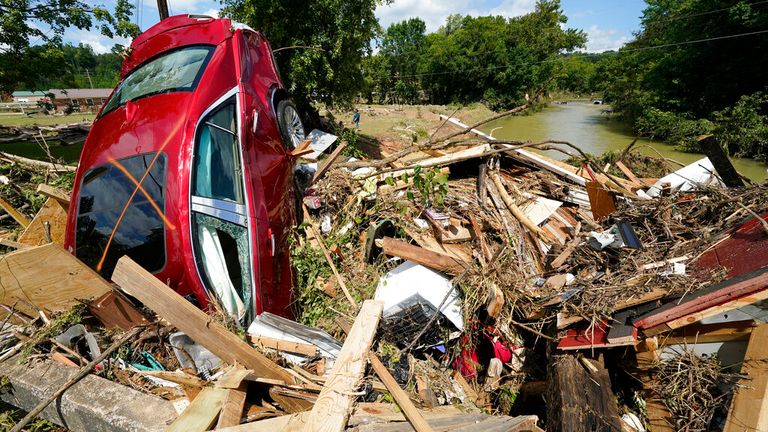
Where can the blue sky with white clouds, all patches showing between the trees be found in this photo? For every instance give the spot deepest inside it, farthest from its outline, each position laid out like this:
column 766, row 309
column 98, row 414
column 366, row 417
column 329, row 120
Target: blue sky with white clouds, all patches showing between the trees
column 608, row 23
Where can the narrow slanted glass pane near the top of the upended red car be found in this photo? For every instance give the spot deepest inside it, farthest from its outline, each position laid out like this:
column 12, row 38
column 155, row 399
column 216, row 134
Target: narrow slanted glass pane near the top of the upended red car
column 178, row 70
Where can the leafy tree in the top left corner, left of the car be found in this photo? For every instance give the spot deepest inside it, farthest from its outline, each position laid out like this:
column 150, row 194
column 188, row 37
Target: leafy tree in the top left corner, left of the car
column 22, row 25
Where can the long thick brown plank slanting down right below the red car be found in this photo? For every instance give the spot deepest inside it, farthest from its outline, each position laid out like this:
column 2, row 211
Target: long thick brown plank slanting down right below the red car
column 157, row 296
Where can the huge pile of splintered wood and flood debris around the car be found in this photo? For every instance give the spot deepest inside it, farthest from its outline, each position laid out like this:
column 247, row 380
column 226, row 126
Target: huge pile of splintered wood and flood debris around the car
column 475, row 284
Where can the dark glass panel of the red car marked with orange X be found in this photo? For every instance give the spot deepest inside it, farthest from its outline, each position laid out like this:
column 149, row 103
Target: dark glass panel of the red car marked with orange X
column 116, row 218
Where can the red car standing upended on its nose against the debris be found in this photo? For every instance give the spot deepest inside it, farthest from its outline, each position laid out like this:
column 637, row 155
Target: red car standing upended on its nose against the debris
column 187, row 168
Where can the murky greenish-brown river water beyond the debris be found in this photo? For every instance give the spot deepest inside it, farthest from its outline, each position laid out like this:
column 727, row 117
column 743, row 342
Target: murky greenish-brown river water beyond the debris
column 583, row 125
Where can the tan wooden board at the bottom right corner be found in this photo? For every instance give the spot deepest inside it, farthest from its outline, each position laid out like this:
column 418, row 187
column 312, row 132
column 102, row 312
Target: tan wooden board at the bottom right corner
column 749, row 409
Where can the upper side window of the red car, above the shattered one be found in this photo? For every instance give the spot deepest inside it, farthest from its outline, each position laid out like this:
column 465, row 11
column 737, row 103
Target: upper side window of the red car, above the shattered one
column 217, row 171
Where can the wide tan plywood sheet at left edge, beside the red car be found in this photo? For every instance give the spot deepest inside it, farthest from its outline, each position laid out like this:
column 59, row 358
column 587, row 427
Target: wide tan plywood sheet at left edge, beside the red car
column 47, row 278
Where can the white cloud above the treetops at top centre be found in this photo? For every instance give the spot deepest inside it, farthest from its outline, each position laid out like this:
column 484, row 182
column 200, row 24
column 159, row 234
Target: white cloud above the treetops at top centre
column 434, row 12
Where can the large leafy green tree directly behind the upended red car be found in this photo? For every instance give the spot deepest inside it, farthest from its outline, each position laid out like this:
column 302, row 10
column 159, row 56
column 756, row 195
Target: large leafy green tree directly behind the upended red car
column 338, row 33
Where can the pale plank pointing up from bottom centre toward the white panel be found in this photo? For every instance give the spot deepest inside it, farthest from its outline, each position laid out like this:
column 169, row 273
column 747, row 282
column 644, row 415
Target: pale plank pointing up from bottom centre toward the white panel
column 335, row 402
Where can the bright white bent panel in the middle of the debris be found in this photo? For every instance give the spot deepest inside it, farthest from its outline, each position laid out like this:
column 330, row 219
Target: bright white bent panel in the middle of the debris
column 410, row 279
